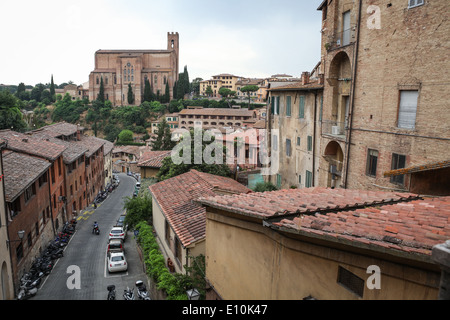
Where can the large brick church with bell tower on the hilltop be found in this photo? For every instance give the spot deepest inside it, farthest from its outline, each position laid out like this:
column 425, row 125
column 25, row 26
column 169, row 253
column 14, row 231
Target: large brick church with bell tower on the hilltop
column 119, row 68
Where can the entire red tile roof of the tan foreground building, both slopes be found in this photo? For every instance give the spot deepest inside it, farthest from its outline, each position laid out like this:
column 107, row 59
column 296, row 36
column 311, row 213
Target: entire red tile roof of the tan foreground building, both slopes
column 399, row 222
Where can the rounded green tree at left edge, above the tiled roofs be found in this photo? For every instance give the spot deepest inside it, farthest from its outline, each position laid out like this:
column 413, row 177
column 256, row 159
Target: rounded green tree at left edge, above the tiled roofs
column 10, row 115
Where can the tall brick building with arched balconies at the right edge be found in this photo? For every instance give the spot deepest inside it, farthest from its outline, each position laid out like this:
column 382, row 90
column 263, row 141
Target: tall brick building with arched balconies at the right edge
column 386, row 95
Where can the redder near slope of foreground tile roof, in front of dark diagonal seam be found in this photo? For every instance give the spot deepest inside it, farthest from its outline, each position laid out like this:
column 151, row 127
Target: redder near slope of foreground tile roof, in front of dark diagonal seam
column 409, row 227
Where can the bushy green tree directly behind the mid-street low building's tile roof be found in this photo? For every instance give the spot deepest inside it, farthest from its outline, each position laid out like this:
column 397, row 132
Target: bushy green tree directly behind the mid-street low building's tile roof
column 218, row 167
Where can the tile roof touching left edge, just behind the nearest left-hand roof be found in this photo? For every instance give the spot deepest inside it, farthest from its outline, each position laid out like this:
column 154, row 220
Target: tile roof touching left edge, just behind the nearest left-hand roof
column 31, row 145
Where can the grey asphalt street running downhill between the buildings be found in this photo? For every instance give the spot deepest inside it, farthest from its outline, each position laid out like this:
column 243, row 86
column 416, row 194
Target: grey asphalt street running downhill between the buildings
column 81, row 274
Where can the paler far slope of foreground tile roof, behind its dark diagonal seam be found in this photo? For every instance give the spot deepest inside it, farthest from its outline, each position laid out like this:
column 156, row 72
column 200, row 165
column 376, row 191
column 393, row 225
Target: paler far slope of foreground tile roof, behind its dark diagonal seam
column 294, row 201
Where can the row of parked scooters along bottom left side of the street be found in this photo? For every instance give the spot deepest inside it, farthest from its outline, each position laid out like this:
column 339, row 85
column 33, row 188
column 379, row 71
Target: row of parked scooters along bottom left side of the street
column 43, row 265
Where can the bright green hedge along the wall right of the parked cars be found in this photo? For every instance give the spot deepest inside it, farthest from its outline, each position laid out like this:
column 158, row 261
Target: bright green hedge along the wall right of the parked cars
column 156, row 267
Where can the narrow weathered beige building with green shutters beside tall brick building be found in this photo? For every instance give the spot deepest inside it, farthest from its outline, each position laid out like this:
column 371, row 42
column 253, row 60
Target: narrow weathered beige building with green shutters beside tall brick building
column 294, row 126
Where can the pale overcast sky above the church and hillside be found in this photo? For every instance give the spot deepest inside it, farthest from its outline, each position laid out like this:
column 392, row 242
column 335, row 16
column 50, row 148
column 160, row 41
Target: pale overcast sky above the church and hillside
column 248, row 38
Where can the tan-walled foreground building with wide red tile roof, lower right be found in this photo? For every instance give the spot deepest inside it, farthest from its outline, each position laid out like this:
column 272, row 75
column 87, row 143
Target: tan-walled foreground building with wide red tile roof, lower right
column 324, row 244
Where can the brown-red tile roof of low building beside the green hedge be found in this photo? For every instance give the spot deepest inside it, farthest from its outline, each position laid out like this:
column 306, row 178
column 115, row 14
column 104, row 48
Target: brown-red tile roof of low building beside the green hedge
column 174, row 196
